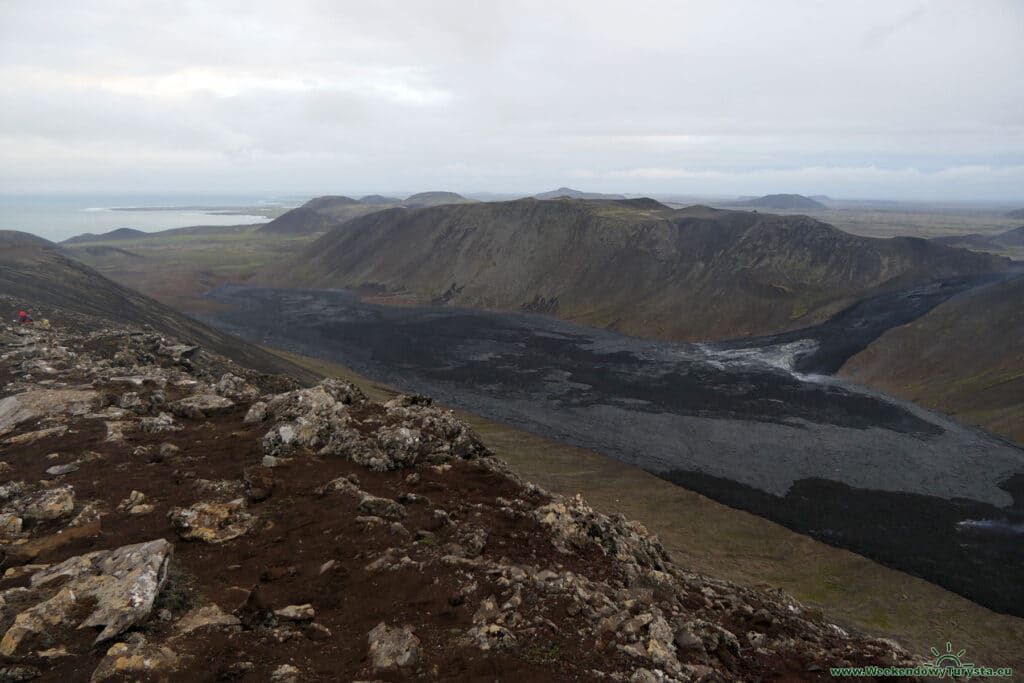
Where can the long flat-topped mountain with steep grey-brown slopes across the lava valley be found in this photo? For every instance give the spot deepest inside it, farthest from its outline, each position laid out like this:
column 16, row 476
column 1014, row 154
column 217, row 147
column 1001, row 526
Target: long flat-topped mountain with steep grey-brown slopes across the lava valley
column 695, row 274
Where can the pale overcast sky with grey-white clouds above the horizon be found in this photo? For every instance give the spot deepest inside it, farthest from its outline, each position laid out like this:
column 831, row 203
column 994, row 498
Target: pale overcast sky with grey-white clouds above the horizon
column 917, row 100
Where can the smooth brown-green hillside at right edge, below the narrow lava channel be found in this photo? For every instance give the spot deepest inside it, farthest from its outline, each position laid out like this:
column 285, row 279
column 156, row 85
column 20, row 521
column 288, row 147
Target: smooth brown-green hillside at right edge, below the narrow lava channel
column 965, row 358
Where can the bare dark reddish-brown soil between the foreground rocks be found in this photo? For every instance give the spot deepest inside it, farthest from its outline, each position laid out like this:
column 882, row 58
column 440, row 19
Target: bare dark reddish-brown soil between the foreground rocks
column 301, row 532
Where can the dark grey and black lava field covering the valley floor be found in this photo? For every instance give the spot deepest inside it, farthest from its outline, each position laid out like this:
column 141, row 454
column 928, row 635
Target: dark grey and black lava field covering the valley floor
column 848, row 466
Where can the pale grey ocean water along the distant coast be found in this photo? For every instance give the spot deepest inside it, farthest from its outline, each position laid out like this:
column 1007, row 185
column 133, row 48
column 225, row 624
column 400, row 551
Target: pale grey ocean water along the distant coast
column 59, row 218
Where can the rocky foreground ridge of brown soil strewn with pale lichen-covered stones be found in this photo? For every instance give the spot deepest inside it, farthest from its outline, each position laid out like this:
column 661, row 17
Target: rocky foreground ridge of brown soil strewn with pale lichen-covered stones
column 169, row 516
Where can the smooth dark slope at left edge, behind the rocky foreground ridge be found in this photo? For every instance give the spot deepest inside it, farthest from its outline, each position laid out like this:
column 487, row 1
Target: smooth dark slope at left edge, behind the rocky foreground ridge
column 38, row 274
